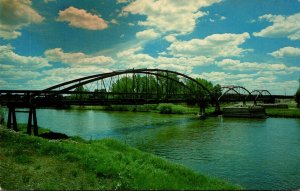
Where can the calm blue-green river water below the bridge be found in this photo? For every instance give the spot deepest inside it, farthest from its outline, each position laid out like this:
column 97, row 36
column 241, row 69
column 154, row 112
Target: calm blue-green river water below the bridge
column 257, row 154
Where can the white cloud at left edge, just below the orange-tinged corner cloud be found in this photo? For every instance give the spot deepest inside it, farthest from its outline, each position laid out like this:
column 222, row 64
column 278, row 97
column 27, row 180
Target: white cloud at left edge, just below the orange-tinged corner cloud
column 7, row 55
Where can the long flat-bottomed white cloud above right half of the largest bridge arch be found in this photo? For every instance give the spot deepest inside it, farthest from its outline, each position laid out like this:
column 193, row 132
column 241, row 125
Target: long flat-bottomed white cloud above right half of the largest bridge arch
column 216, row 45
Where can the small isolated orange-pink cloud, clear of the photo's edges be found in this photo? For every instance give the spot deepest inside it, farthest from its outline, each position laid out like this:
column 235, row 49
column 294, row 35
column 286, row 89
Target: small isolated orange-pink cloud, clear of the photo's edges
column 80, row 18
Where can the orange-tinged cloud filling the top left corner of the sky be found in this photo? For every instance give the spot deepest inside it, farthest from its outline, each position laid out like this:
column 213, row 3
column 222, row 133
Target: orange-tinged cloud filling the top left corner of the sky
column 15, row 15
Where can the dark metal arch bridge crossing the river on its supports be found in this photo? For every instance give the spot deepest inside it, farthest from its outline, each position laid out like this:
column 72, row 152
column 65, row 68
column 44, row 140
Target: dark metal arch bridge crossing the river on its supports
column 124, row 87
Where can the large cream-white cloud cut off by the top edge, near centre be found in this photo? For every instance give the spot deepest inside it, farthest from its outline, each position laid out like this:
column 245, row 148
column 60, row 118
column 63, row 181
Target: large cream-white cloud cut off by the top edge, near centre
column 169, row 15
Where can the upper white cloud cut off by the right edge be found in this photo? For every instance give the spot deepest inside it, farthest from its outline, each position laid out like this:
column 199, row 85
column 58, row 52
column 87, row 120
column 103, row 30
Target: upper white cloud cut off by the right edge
column 283, row 26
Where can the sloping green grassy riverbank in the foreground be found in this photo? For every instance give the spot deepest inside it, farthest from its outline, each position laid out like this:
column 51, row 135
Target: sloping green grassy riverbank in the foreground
column 29, row 162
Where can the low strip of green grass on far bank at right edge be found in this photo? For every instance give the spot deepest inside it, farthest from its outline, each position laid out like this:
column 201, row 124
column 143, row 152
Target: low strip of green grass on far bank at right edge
column 291, row 112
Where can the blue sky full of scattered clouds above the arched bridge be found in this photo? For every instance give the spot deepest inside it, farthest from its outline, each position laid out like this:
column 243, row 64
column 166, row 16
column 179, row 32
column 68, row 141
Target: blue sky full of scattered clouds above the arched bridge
column 251, row 43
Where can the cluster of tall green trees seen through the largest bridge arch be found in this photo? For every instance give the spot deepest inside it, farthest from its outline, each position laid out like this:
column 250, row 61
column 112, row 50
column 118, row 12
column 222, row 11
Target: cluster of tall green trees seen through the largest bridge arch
column 162, row 87
